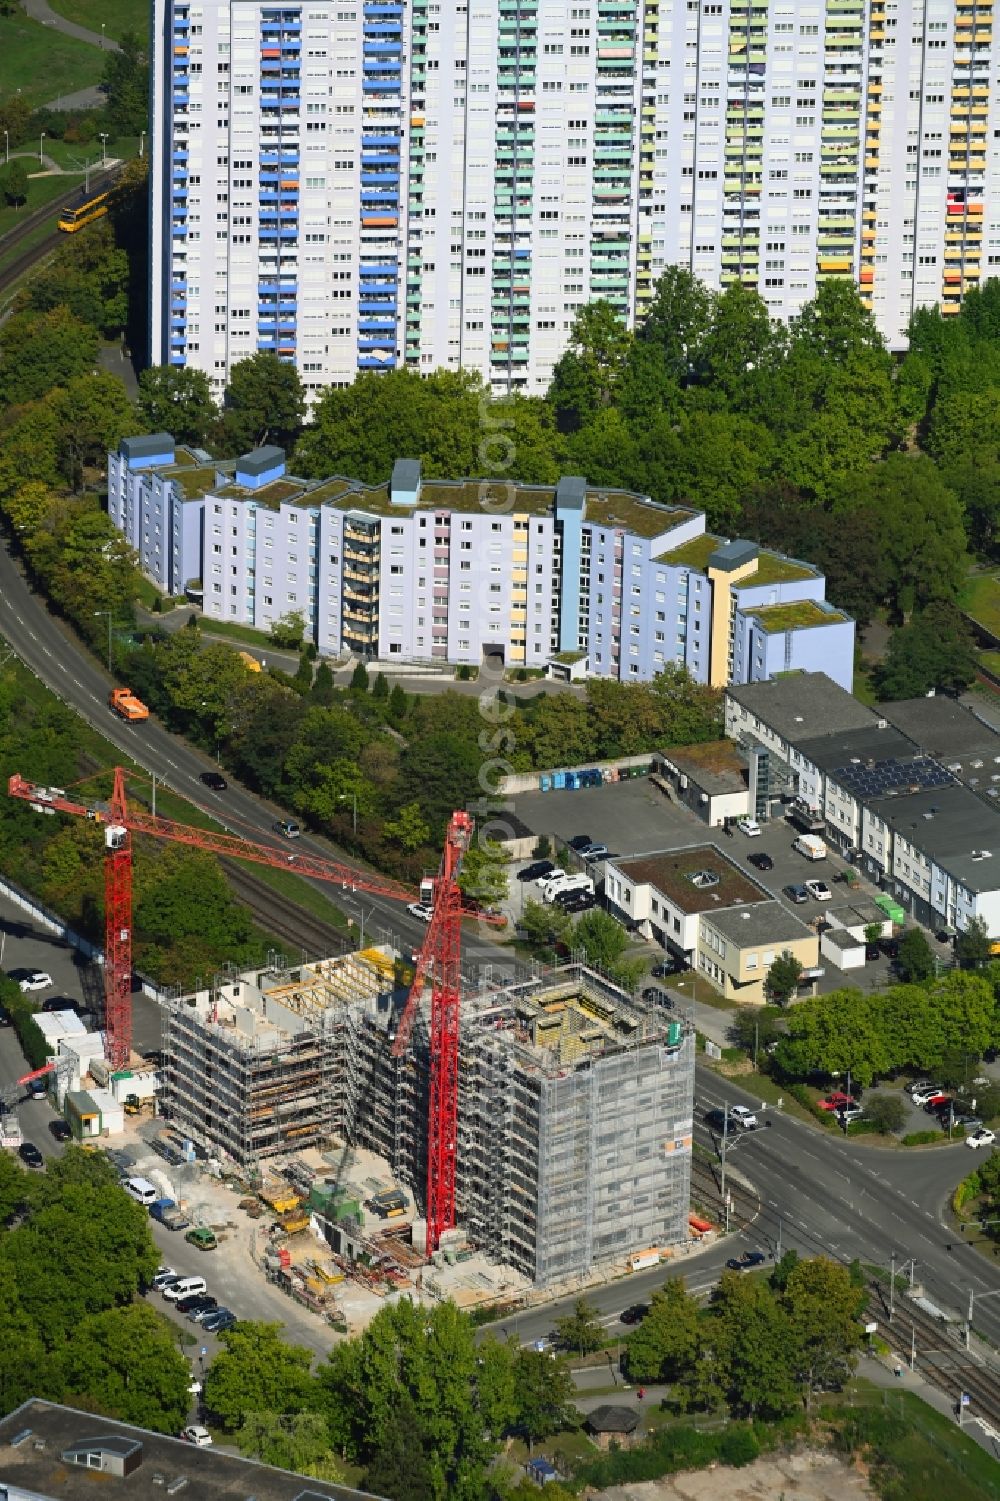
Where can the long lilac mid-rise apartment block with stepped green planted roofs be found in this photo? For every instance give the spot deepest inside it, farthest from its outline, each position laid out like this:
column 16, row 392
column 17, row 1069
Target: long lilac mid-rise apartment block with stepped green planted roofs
column 453, row 571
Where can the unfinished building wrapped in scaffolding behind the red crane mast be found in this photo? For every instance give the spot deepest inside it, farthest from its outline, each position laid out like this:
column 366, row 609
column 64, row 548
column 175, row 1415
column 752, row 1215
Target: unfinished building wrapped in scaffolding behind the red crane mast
column 574, row 1116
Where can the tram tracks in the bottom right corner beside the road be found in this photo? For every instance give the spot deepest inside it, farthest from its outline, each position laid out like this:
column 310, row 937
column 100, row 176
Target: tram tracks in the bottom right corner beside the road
column 938, row 1350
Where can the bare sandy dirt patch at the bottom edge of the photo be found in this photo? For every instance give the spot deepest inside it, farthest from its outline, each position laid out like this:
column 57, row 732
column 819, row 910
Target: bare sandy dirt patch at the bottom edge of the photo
column 804, row 1476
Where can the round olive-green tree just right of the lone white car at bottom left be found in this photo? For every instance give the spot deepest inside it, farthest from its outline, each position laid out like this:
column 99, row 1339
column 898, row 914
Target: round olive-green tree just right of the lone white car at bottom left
column 259, row 1373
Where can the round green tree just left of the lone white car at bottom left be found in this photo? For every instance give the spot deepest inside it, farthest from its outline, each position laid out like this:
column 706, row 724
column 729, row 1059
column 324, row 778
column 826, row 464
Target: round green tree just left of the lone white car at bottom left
column 125, row 1362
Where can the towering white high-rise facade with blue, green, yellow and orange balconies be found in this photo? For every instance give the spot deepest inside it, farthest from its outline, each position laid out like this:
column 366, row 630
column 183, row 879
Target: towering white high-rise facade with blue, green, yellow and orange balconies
column 406, row 182
